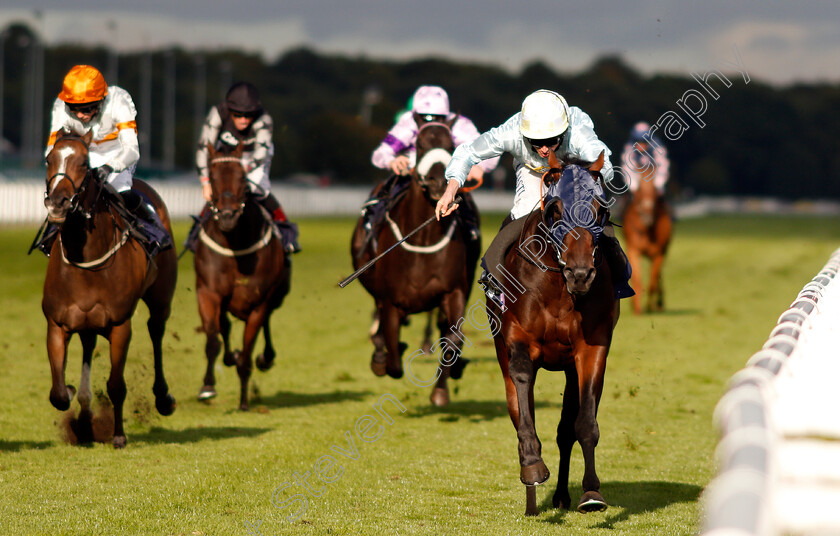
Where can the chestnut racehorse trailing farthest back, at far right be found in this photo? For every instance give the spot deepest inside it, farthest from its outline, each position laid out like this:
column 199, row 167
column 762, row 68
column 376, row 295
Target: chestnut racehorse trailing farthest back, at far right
column 647, row 231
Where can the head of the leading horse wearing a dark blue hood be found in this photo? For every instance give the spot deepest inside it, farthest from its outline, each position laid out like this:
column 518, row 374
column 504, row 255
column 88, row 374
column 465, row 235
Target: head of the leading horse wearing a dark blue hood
column 576, row 213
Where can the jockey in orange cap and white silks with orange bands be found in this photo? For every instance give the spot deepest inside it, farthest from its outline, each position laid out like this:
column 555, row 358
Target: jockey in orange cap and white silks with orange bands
column 87, row 103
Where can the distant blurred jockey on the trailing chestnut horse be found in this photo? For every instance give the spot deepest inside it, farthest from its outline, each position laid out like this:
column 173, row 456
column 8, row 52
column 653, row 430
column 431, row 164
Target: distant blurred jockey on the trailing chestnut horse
column 645, row 157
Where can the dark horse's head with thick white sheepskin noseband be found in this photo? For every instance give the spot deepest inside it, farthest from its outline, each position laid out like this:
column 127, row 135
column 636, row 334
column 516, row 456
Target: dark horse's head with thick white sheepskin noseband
column 434, row 150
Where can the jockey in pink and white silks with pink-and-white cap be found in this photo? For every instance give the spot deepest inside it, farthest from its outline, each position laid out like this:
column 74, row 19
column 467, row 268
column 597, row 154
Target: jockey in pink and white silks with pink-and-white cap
column 397, row 152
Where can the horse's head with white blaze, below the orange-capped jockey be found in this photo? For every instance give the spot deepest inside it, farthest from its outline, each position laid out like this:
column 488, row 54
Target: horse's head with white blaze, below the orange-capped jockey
column 68, row 175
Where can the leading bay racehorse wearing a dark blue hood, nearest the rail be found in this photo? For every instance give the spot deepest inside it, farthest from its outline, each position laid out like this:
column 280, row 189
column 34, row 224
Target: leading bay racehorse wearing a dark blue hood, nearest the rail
column 563, row 320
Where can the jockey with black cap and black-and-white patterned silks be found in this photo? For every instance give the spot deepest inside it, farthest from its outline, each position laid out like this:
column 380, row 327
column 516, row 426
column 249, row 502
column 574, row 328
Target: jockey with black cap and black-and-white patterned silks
column 240, row 118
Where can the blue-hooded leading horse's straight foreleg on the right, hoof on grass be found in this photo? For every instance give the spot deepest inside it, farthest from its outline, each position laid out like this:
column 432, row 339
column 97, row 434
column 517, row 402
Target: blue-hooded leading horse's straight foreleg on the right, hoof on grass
column 590, row 370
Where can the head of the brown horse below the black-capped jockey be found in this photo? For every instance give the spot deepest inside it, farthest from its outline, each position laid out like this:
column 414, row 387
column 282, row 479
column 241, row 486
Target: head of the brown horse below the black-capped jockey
column 229, row 185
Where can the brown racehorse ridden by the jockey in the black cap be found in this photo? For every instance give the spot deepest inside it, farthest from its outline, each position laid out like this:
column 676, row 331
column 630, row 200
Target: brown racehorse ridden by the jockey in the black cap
column 240, row 268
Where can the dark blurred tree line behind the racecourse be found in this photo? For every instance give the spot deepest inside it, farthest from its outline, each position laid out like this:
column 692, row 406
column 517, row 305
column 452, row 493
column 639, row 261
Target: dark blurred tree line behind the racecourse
column 331, row 112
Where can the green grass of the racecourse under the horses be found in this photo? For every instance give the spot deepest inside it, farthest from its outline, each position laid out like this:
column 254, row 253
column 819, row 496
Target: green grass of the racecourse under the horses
column 209, row 468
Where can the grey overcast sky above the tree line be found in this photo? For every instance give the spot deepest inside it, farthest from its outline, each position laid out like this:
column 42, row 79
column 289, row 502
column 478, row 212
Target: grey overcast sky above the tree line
column 780, row 41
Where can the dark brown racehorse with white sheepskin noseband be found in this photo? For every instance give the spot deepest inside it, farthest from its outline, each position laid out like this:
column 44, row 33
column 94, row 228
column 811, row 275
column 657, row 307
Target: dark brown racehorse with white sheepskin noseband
column 434, row 269
